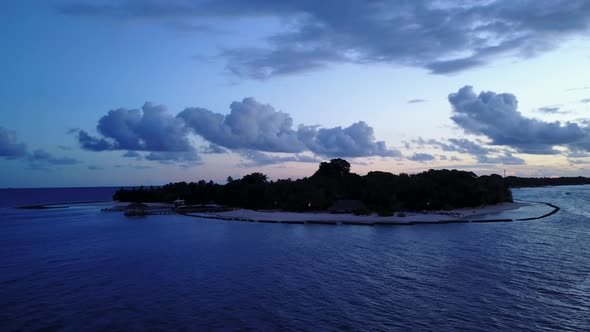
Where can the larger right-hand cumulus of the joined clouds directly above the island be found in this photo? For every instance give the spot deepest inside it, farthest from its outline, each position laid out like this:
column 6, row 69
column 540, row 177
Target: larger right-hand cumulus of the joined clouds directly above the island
column 251, row 125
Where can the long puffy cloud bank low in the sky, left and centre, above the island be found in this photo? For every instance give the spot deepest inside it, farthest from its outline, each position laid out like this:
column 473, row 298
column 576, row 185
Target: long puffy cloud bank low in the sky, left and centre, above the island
column 251, row 129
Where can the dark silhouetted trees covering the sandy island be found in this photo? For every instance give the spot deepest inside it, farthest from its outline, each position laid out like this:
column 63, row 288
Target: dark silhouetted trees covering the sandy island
column 380, row 191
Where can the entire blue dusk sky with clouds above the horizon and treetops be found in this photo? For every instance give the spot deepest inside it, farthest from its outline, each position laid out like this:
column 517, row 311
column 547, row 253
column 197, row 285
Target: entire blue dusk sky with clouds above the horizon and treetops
column 132, row 92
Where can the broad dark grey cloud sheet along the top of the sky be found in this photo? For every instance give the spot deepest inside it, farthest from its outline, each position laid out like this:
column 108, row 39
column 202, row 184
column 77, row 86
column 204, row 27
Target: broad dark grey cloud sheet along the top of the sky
column 440, row 36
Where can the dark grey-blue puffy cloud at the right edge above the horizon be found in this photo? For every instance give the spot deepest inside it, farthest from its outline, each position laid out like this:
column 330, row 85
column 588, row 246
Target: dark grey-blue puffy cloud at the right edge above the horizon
column 496, row 116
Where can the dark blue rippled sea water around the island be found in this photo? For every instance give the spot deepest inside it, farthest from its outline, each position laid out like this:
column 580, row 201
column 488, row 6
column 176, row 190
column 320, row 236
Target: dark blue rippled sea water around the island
column 77, row 269
